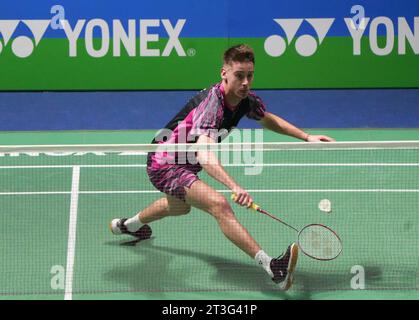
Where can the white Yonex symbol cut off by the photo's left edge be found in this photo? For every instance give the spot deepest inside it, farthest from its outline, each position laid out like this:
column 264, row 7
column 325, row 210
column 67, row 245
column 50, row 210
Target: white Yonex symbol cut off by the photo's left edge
column 22, row 46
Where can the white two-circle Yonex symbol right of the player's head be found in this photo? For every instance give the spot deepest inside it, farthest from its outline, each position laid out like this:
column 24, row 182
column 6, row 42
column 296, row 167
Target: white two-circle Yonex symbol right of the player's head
column 305, row 45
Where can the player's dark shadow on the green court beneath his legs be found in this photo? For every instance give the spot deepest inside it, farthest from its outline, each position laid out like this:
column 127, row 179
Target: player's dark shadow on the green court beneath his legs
column 156, row 271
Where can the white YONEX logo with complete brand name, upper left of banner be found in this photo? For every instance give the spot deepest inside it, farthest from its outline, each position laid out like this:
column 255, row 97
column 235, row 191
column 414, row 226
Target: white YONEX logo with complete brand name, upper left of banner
column 23, row 46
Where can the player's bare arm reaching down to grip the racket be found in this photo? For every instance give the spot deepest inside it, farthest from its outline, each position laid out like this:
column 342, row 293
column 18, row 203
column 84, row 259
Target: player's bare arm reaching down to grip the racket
column 211, row 164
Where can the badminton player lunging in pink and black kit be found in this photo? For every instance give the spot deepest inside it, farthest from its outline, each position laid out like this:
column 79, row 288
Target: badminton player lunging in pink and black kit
column 214, row 110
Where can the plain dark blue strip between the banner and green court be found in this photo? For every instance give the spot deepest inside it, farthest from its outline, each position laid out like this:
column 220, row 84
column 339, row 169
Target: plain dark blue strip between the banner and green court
column 390, row 108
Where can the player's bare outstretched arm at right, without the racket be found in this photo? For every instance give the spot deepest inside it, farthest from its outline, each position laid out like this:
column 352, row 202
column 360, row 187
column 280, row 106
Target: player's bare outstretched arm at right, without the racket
column 277, row 124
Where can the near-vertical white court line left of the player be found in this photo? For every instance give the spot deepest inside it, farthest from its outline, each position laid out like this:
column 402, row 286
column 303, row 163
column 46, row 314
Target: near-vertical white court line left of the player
column 71, row 246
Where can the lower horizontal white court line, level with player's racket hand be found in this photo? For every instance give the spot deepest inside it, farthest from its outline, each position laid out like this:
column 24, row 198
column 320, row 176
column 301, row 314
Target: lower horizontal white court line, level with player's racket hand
column 223, row 191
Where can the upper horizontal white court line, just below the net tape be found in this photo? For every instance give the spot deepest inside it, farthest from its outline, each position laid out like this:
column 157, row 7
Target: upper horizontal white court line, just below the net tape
column 225, row 165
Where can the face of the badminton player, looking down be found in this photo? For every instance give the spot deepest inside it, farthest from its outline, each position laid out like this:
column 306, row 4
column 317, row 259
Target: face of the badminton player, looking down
column 238, row 78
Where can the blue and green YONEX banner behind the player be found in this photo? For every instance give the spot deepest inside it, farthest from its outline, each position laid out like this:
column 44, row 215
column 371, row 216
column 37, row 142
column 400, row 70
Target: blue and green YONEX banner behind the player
column 163, row 44
